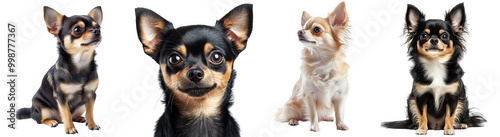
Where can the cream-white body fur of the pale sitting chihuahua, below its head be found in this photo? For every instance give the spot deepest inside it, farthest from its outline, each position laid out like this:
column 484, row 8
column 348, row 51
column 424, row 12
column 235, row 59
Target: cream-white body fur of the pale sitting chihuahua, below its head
column 321, row 89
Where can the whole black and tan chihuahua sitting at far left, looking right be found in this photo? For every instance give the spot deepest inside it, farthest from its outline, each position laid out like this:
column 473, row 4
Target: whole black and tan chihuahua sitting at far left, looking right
column 68, row 88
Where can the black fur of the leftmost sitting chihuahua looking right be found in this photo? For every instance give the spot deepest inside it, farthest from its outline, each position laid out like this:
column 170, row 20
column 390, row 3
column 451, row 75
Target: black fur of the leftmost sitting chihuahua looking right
column 65, row 70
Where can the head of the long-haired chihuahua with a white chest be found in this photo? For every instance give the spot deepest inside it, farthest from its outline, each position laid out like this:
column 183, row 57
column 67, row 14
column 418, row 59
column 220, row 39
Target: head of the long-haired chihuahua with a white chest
column 435, row 39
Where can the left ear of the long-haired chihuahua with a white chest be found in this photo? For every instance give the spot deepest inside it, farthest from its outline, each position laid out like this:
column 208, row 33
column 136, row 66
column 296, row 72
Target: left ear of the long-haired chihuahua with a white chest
column 413, row 18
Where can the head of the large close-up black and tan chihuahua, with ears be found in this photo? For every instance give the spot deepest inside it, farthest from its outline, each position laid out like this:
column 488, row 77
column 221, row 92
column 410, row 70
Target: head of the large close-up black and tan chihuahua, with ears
column 196, row 60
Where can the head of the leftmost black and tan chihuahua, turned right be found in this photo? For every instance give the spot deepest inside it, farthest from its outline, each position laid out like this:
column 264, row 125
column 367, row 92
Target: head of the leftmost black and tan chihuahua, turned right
column 77, row 33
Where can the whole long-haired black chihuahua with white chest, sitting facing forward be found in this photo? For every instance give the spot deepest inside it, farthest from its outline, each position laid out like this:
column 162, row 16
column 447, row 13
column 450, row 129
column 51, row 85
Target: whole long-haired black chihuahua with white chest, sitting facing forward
column 438, row 99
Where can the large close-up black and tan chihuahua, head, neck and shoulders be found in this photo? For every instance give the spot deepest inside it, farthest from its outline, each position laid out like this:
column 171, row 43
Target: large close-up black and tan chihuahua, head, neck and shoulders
column 196, row 71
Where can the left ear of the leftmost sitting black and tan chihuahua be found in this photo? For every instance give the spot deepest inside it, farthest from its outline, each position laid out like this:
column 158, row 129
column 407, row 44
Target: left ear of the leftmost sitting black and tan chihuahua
column 53, row 20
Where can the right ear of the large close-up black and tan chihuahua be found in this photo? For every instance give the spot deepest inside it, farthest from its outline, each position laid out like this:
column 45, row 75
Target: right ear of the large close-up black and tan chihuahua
column 237, row 24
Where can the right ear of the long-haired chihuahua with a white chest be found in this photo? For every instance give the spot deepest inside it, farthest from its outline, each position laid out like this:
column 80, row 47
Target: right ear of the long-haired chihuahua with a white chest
column 456, row 17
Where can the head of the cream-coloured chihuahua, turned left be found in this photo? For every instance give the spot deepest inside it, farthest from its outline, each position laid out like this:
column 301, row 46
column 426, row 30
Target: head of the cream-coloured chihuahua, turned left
column 318, row 31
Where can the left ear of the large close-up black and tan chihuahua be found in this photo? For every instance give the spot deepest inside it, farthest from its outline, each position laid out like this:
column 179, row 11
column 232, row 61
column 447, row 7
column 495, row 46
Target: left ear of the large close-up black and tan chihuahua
column 150, row 28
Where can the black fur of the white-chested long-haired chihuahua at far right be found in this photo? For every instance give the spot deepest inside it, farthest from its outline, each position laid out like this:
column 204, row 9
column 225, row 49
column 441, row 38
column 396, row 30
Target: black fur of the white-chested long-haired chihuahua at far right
column 453, row 70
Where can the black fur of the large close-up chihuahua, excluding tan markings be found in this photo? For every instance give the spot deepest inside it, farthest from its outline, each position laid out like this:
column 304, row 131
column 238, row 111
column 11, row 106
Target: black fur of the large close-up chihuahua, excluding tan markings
column 175, row 122
